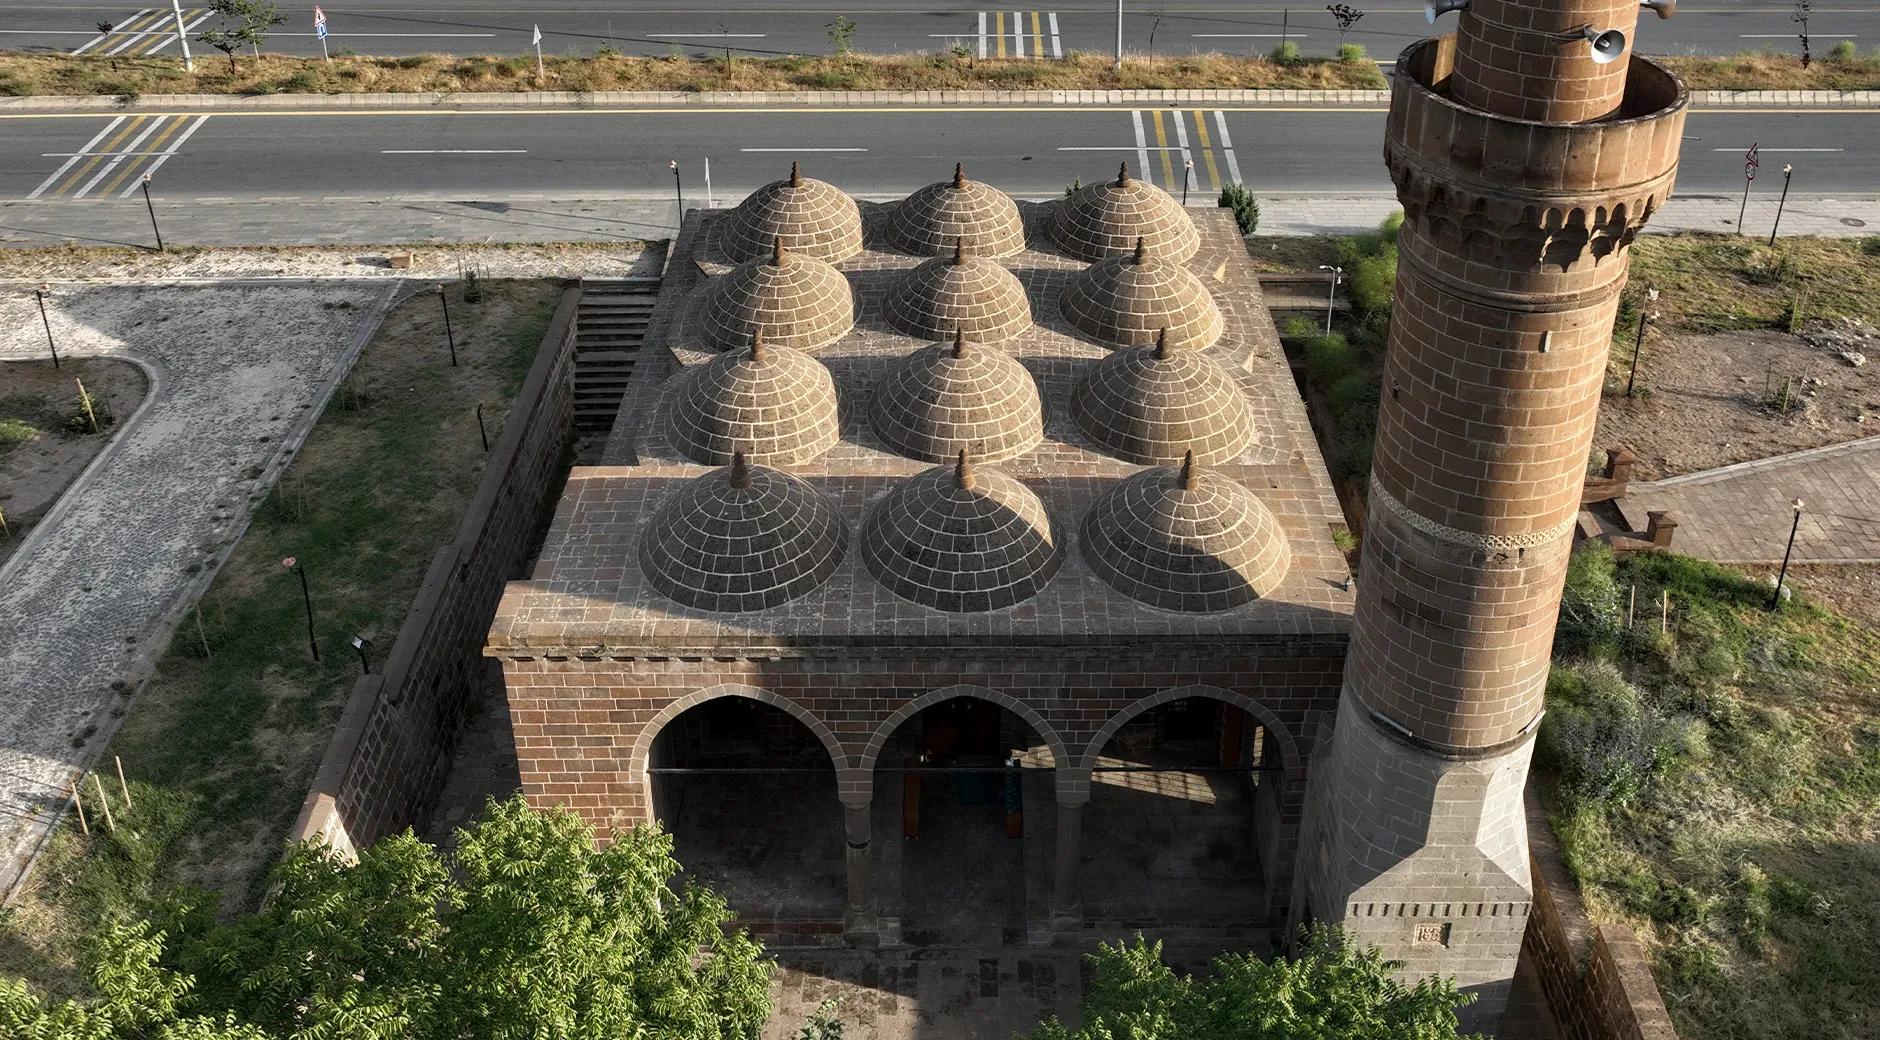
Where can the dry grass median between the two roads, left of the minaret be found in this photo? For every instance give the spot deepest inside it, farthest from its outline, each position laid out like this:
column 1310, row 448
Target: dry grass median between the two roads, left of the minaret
column 274, row 74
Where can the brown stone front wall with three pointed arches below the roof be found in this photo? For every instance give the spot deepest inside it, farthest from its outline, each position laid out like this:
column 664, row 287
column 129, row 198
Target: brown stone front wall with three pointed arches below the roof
column 586, row 727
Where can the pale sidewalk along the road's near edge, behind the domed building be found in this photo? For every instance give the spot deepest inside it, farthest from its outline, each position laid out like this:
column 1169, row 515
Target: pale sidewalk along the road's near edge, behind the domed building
column 540, row 219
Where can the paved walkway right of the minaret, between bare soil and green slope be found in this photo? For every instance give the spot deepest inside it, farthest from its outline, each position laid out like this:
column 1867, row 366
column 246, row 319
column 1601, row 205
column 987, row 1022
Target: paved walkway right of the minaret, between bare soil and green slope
column 1742, row 514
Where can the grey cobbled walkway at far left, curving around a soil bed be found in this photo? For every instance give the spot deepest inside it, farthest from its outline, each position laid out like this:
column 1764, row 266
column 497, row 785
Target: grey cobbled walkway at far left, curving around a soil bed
column 238, row 377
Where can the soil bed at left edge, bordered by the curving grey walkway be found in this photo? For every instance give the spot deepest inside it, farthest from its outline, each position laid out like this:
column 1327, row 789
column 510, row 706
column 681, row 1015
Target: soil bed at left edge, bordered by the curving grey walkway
column 44, row 449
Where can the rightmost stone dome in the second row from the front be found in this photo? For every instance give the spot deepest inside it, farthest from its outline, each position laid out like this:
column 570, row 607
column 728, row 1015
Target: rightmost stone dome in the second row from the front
column 1155, row 405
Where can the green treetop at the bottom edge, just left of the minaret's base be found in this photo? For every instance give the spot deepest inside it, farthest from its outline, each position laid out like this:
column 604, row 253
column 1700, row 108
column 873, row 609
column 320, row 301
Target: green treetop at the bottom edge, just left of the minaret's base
column 1330, row 990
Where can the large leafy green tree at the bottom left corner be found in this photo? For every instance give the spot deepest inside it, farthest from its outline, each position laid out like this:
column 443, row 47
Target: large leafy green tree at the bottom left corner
column 525, row 930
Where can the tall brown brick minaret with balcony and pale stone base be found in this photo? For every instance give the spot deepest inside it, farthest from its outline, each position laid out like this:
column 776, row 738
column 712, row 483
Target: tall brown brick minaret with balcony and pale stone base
column 1526, row 170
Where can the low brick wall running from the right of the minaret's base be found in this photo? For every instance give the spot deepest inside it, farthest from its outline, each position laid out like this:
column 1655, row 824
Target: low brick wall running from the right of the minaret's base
column 1597, row 979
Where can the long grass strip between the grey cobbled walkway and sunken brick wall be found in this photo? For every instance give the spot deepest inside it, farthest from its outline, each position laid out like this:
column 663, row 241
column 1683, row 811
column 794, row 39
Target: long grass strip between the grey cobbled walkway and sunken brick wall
column 223, row 744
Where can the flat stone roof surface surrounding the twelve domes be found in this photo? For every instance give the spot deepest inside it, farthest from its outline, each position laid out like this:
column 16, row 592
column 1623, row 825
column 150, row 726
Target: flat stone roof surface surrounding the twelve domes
column 589, row 597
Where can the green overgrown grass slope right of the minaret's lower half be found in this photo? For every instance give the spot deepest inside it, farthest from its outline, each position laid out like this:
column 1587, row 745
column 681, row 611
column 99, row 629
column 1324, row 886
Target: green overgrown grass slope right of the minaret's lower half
column 1715, row 781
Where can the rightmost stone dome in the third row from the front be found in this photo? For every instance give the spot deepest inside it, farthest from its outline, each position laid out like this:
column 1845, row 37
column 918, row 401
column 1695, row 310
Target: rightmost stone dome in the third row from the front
column 1131, row 300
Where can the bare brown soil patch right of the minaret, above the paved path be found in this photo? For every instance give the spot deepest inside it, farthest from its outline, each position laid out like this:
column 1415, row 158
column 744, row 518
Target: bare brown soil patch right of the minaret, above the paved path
column 1715, row 400
